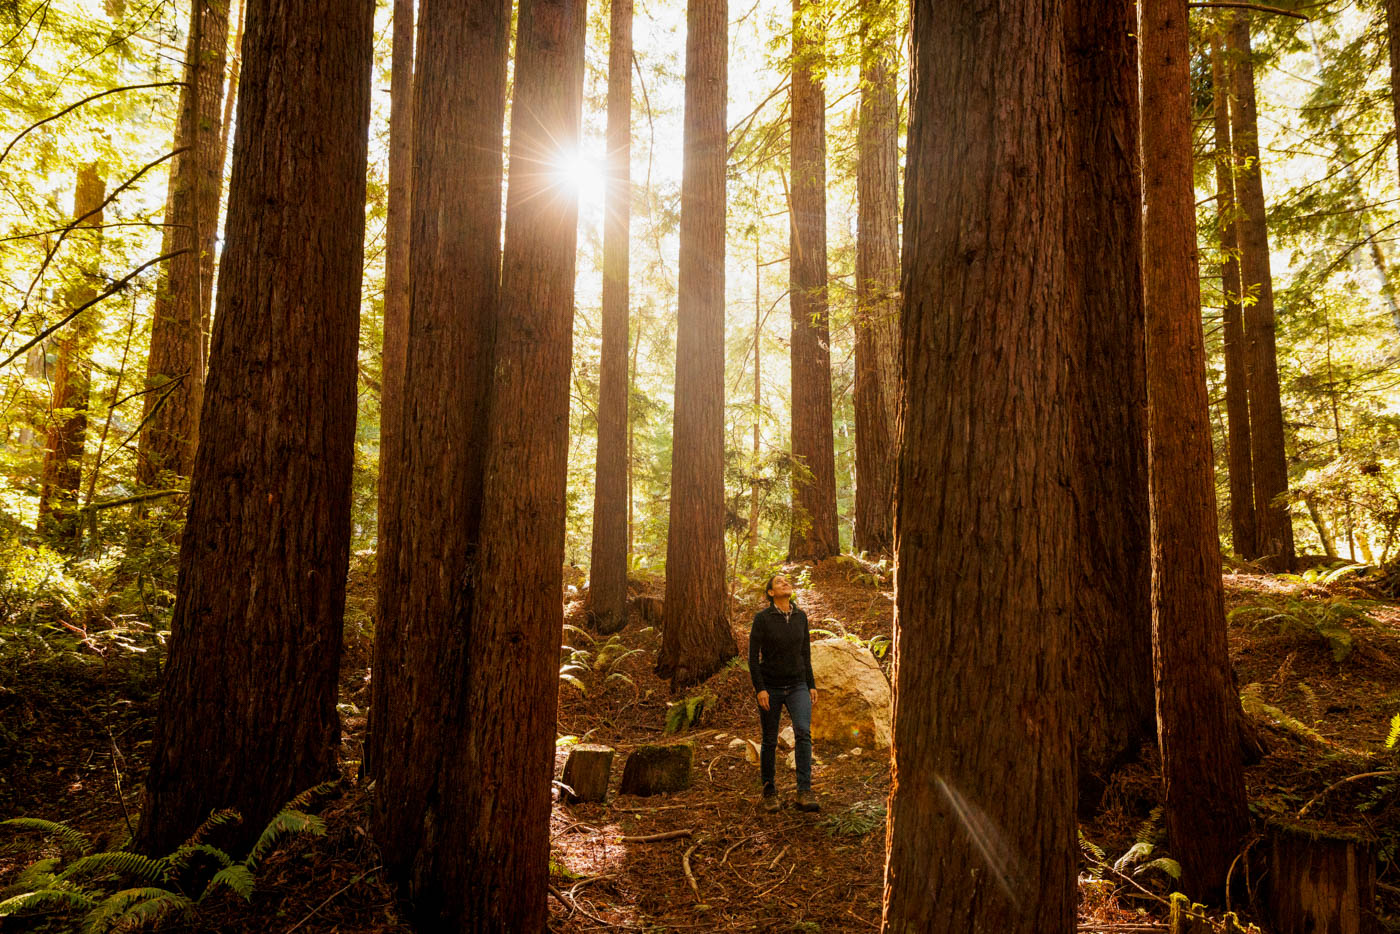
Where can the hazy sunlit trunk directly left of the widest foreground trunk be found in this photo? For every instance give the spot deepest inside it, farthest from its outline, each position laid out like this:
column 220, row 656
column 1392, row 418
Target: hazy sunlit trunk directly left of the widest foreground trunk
column 877, row 282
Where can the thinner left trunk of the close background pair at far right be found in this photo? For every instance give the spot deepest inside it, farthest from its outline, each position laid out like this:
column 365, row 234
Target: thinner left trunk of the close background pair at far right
column 1237, row 379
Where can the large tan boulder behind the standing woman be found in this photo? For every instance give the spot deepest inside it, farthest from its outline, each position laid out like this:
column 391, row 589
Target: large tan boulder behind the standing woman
column 853, row 704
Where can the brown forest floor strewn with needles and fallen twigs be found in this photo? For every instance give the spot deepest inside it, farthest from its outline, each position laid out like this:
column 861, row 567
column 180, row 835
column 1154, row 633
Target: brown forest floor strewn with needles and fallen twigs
column 1319, row 666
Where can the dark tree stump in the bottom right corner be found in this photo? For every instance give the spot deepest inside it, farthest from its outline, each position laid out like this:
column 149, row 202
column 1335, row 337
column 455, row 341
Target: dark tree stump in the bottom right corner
column 1321, row 883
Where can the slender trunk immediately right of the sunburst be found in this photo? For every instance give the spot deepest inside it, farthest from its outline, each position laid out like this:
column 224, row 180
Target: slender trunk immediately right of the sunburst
column 608, row 569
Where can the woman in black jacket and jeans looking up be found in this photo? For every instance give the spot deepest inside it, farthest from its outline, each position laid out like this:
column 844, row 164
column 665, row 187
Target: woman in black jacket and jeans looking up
column 780, row 666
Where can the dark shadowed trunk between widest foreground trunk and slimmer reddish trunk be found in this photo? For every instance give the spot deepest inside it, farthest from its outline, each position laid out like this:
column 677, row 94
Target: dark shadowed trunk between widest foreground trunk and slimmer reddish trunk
column 1104, row 253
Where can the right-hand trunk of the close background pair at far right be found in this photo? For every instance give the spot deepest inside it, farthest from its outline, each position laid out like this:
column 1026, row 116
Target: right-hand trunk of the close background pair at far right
column 1266, row 417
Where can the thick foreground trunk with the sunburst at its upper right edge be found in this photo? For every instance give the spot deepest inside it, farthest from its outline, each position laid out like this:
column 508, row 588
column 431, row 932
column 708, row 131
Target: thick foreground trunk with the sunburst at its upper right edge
column 498, row 832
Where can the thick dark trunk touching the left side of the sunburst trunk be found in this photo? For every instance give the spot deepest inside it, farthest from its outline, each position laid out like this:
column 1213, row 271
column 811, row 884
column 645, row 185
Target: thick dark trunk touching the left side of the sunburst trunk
column 426, row 648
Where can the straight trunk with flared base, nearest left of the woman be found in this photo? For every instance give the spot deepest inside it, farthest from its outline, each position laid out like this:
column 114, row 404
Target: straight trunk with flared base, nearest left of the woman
column 696, row 639
